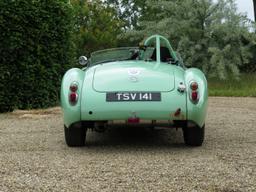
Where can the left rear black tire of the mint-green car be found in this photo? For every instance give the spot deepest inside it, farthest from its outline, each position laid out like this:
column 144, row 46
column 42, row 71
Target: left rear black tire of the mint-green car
column 75, row 135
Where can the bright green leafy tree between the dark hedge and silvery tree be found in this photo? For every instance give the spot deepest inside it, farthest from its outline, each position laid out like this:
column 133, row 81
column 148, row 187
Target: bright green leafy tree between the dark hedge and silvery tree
column 96, row 26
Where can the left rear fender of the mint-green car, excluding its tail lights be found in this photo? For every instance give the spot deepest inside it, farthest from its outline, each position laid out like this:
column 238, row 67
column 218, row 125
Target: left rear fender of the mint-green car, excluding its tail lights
column 72, row 113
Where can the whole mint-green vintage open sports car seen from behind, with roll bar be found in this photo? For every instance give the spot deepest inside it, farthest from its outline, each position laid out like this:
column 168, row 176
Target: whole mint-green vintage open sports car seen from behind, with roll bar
column 135, row 86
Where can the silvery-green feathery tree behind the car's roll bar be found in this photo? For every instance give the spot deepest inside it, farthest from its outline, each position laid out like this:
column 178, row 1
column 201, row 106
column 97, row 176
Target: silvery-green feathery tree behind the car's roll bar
column 208, row 35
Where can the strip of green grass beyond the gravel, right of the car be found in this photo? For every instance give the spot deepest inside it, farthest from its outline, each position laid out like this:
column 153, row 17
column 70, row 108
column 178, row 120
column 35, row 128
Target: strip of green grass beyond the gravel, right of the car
column 244, row 87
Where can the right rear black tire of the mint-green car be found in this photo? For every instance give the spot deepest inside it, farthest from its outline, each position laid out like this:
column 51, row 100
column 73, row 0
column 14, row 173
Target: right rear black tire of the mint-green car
column 194, row 136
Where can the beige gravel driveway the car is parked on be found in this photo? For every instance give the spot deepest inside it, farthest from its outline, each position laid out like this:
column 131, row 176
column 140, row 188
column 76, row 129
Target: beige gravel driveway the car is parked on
column 34, row 156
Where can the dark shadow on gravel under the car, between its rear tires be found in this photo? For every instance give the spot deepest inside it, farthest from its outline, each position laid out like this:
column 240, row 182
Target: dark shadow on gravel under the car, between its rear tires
column 136, row 138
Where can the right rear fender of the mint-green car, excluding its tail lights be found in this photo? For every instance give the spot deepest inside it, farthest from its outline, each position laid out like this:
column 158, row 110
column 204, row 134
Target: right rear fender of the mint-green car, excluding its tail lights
column 196, row 112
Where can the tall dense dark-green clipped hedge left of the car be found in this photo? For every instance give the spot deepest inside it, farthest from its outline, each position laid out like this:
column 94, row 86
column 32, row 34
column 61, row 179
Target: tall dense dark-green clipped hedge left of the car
column 35, row 47
